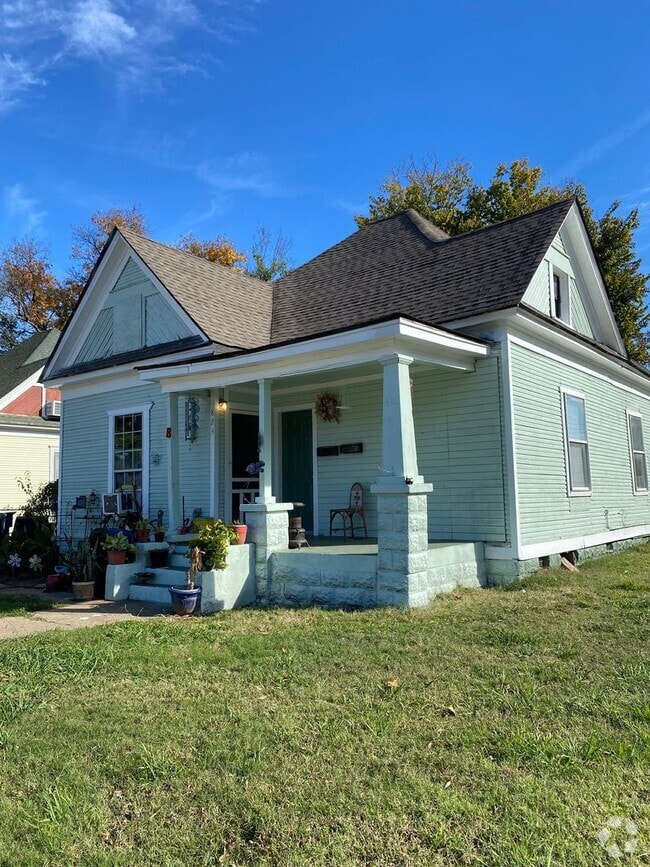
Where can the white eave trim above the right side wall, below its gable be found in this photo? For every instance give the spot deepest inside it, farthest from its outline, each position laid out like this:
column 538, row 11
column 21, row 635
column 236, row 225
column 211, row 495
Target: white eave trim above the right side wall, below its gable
column 529, row 332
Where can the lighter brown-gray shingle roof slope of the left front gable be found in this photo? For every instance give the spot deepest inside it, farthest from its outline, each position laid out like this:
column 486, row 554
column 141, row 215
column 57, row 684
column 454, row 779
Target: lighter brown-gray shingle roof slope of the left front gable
column 228, row 305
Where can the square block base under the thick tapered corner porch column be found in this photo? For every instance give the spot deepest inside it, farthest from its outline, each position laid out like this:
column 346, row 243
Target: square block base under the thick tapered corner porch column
column 403, row 543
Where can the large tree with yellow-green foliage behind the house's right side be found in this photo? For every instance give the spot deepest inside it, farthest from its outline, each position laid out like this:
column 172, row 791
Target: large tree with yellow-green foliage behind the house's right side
column 450, row 198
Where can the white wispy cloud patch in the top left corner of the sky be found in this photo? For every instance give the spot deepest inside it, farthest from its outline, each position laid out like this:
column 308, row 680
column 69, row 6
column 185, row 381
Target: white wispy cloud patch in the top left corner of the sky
column 148, row 36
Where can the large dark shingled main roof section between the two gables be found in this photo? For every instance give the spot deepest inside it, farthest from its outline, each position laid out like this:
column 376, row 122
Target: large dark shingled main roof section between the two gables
column 404, row 265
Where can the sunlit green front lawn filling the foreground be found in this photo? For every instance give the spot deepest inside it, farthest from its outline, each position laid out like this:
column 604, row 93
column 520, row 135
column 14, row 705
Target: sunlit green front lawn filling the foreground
column 492, row 728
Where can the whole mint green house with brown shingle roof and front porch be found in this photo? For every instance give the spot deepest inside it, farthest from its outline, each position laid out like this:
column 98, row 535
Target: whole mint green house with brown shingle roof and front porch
column 487, row 402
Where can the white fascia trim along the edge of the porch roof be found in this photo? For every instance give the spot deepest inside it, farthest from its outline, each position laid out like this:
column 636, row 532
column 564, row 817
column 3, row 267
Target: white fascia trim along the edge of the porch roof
column 423, row 342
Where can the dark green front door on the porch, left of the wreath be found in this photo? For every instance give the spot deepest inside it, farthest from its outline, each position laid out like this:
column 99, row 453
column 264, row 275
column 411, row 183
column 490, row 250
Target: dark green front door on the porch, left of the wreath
column 298, row 463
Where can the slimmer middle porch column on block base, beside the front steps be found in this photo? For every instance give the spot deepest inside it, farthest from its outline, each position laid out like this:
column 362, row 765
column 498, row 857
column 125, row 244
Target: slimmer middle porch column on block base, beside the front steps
column 267, row 520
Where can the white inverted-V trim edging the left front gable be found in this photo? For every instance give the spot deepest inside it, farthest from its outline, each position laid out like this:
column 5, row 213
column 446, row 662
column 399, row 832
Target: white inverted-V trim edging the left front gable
column 93, row 299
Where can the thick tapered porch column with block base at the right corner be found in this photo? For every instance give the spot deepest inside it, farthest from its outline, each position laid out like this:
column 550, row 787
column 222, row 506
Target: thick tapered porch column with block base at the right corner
column 402, row 560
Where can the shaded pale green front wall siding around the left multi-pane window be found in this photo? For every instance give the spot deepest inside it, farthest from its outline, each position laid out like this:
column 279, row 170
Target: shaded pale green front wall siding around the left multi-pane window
column 84, row 446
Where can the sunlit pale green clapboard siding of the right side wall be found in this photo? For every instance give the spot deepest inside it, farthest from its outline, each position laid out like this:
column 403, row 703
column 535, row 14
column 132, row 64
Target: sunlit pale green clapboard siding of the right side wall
column 547, row 513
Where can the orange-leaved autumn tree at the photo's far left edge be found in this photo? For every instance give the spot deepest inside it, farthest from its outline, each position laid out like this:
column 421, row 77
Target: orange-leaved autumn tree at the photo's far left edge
column 30, row 295
